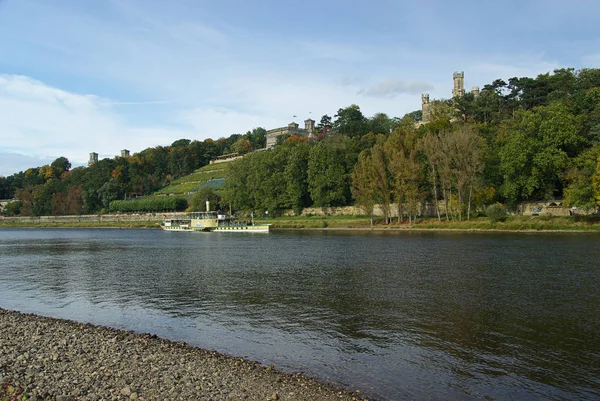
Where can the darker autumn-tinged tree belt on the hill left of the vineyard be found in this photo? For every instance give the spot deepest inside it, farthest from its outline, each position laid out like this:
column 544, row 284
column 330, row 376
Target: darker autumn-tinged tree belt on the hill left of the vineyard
column 56, row 189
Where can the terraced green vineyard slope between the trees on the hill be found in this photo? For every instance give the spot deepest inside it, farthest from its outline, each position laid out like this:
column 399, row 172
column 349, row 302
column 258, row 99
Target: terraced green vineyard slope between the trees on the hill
column 210, row 175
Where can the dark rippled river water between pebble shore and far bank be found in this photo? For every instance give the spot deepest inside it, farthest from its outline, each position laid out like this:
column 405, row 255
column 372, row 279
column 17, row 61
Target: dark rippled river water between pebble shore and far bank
column 397, row 315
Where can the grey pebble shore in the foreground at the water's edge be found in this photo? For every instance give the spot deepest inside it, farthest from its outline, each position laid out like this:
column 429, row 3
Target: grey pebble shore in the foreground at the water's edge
column 50, row 359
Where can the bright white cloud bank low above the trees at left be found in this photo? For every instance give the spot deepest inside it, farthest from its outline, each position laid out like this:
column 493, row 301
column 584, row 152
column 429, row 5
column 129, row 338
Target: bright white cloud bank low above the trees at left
column 44, row 123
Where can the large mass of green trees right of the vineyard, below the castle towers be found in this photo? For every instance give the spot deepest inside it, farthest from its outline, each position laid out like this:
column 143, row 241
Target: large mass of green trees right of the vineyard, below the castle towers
column 528, row 139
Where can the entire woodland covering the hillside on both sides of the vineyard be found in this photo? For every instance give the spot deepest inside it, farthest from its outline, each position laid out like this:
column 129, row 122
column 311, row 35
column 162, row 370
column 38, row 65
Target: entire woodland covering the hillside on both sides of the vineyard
column 521, row 139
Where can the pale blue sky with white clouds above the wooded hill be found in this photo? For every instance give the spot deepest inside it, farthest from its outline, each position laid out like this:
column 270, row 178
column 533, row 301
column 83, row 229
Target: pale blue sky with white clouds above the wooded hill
column 104, row 75
